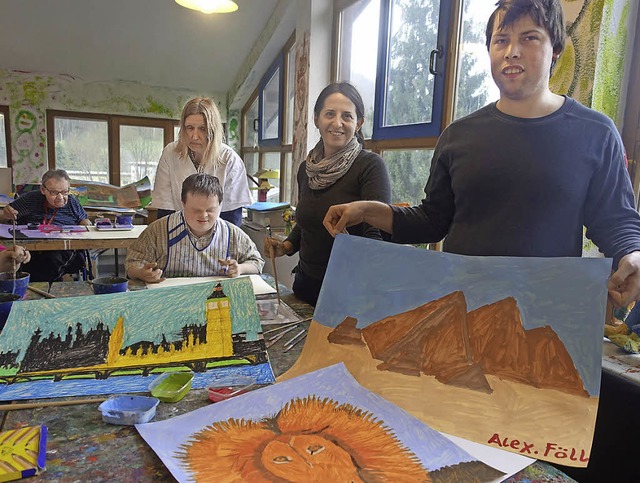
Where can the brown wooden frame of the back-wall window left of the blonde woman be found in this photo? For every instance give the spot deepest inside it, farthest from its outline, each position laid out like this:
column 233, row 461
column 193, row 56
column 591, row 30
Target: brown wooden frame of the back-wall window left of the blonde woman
column 113, row 134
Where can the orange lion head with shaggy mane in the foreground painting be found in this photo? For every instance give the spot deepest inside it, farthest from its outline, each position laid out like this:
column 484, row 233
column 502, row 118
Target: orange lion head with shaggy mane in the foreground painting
column 310, row 439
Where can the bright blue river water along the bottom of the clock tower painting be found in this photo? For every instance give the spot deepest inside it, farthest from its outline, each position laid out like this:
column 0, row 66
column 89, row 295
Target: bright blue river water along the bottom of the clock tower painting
column 126, row 384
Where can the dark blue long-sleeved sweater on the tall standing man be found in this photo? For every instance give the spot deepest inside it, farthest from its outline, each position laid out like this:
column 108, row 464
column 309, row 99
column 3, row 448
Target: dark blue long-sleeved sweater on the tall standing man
column 507, row 186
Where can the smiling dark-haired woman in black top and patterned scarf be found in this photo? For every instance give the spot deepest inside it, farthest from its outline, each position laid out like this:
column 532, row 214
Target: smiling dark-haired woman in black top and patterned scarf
column 337, row 170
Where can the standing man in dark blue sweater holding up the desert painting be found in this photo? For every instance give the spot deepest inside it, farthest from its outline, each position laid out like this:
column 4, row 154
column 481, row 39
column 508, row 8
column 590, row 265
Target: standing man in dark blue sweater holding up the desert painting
column 523, row 175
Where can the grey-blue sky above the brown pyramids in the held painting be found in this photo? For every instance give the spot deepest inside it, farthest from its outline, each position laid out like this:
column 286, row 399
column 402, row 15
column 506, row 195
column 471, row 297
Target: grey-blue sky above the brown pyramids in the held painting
column 370, row 280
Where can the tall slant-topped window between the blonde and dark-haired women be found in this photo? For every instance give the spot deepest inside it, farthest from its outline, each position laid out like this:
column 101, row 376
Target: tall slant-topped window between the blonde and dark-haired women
column 267, row 124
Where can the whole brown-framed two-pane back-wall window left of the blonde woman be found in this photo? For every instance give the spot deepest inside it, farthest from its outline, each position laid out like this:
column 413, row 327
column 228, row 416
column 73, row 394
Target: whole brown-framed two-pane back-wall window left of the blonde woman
column 111, row 149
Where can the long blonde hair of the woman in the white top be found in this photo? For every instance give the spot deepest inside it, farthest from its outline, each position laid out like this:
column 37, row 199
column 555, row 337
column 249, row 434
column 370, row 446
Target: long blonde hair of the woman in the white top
column 208, row 108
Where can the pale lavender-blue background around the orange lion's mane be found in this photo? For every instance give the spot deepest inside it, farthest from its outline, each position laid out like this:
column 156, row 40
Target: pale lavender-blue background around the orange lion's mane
column 335, row 382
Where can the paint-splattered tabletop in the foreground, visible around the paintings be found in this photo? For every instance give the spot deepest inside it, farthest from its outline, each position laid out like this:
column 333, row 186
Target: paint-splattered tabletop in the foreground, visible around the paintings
column 81, row 447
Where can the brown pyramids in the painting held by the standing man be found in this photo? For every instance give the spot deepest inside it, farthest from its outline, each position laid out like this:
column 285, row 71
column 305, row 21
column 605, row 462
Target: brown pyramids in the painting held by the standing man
column 441, row 339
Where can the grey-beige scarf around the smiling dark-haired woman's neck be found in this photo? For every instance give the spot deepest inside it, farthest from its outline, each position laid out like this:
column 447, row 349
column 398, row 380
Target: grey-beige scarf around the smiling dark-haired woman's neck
column 323, row 172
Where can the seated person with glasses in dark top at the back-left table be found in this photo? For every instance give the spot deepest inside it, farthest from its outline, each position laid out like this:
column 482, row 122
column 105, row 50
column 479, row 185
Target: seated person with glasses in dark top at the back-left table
column 52, row 205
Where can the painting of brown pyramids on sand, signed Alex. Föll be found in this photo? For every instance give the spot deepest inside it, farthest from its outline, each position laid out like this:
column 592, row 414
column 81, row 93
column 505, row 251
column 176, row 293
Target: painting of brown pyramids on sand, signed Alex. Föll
column 499, row 350
